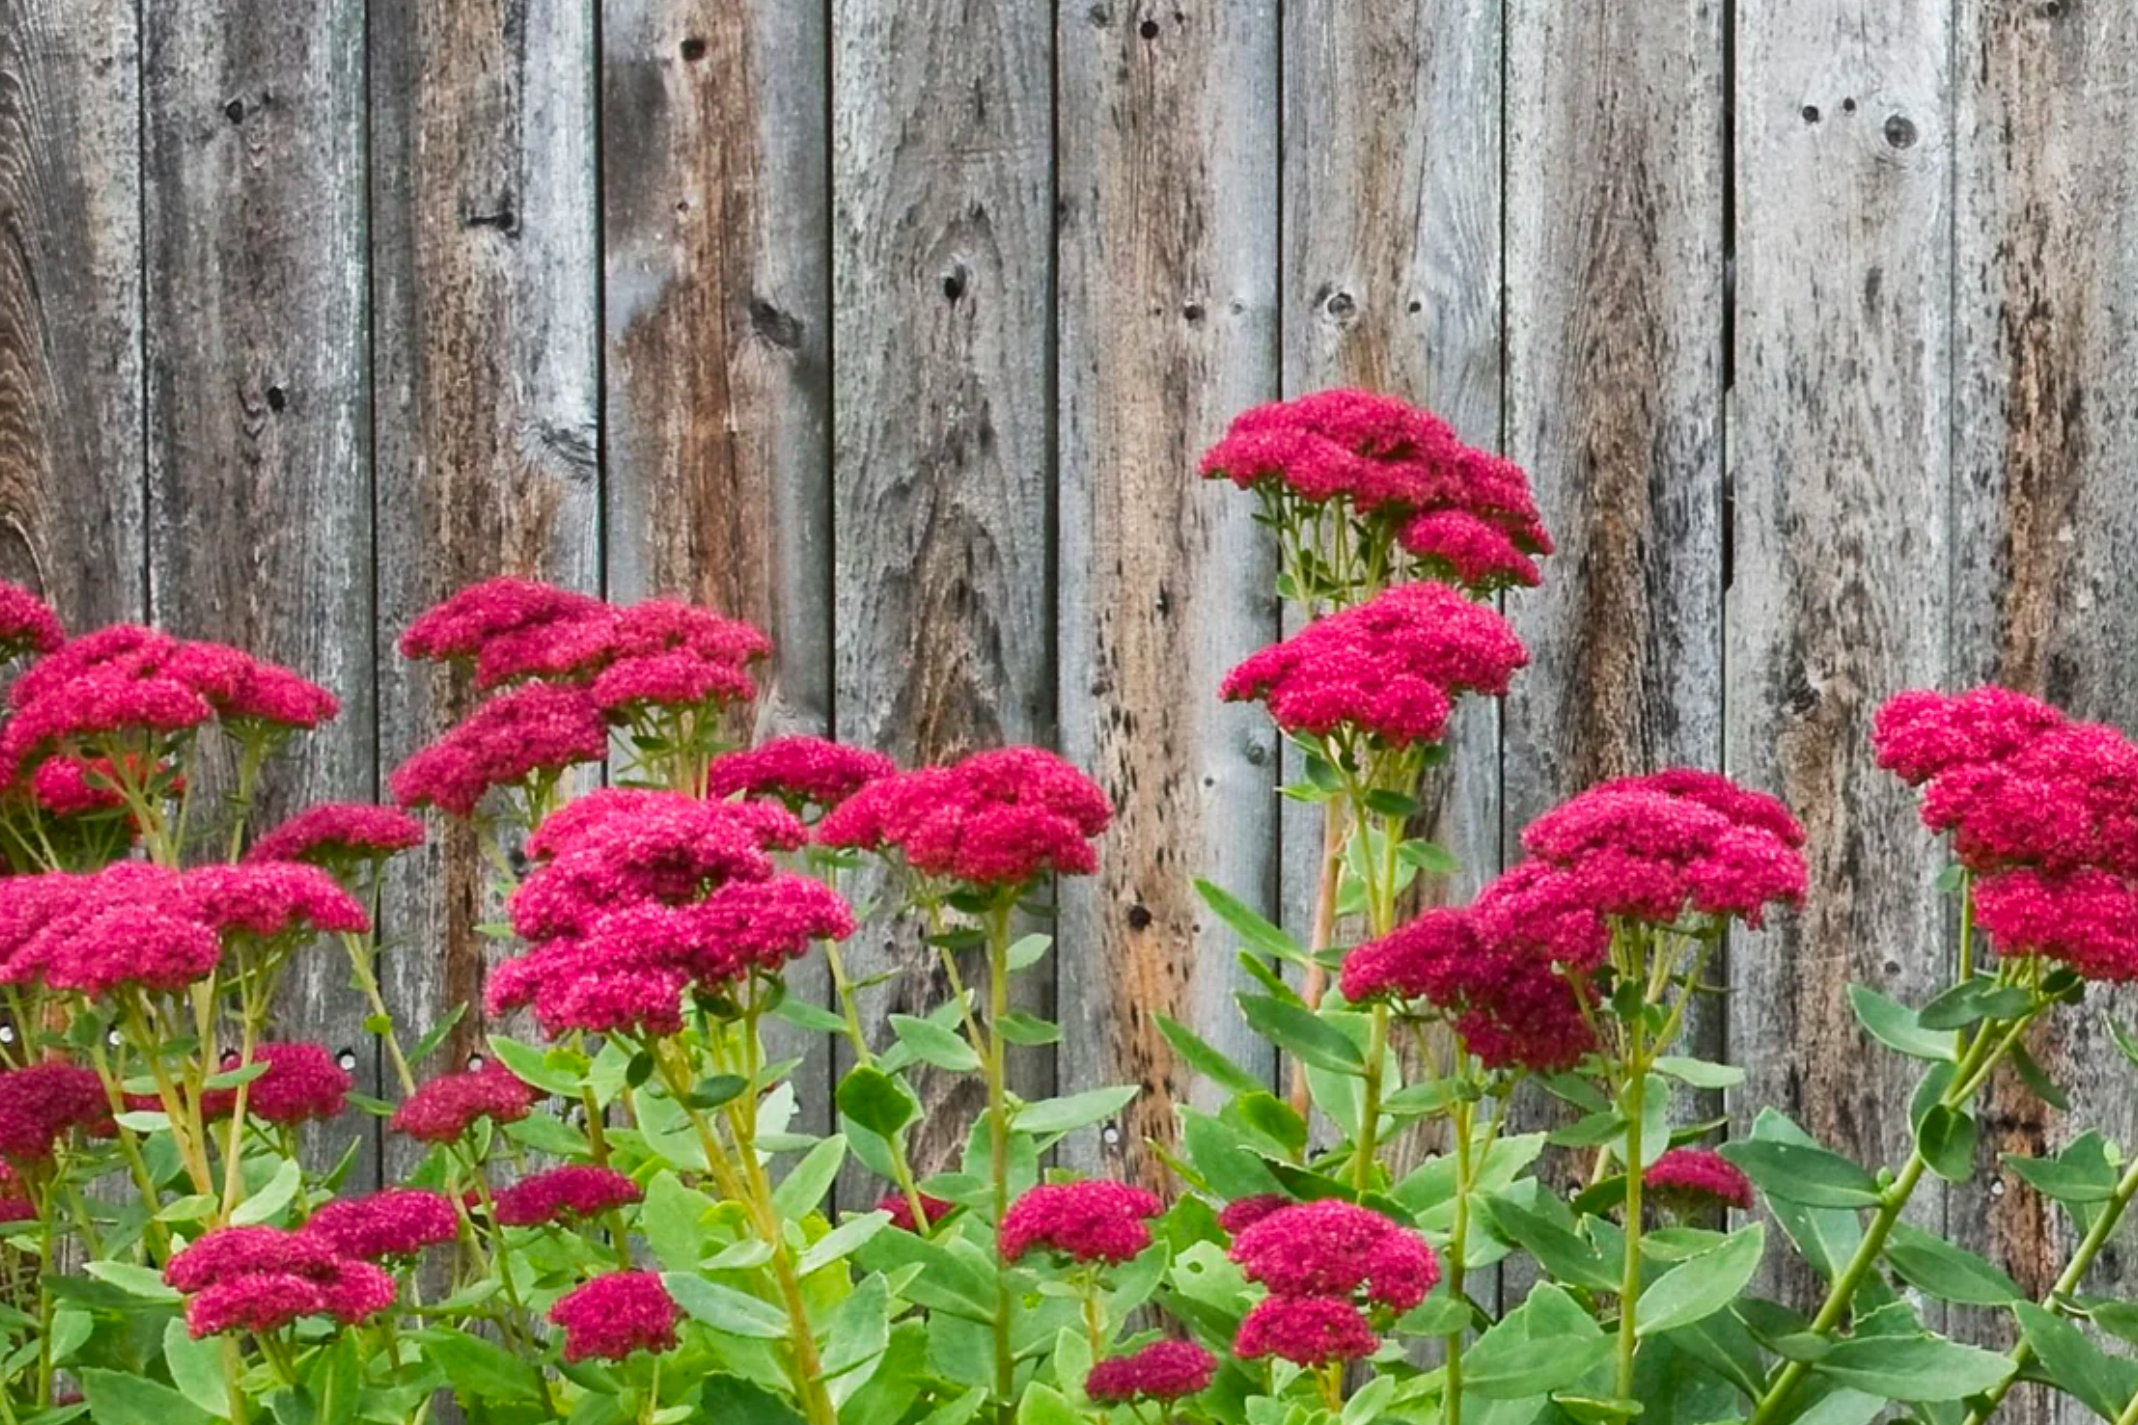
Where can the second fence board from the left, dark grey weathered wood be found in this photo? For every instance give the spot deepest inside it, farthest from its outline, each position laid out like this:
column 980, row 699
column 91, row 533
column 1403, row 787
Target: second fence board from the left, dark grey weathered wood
column 258, row 390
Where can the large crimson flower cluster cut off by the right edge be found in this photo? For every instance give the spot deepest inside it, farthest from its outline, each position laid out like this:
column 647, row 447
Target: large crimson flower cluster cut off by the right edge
column 2041, row 809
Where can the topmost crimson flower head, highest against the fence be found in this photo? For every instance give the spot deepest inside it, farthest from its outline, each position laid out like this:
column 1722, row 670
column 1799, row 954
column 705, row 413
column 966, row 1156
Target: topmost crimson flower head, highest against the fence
column 1468, row 516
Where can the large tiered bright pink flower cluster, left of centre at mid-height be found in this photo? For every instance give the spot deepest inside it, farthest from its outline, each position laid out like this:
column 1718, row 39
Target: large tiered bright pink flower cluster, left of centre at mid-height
column 645, row 896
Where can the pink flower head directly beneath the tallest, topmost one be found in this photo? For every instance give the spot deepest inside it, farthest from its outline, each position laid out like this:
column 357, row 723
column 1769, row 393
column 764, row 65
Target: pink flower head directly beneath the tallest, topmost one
column 1391, row 668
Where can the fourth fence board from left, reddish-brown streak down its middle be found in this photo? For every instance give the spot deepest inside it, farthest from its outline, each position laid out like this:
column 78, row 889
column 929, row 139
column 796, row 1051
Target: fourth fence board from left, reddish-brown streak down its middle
column 717, row 379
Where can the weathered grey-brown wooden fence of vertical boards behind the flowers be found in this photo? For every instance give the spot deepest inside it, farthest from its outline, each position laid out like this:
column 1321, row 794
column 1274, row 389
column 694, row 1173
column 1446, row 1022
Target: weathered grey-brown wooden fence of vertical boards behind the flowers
column 897, row 326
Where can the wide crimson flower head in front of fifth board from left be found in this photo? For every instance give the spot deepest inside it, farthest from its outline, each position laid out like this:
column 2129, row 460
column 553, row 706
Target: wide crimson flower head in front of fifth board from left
column 997, row 819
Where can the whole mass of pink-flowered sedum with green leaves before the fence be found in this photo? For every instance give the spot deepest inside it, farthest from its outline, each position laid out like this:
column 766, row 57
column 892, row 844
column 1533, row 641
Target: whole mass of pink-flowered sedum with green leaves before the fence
column 608, row 1215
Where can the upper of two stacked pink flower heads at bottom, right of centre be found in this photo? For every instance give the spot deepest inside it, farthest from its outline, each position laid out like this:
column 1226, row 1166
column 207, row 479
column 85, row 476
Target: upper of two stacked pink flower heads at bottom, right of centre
column 1333, row 1249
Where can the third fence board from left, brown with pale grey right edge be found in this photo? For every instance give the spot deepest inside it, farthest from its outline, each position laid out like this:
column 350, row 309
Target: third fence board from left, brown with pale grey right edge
column 486, row 281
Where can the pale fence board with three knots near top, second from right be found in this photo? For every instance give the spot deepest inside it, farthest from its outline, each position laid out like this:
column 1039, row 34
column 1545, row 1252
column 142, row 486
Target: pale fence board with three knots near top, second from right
column 1840, row 445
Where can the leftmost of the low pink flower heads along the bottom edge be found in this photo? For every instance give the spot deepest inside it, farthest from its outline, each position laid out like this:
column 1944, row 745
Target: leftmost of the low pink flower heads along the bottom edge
column 264, row 1279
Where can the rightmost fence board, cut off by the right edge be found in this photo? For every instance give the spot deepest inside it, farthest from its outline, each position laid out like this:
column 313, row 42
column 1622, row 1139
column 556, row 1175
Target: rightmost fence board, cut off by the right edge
column 2045, row 317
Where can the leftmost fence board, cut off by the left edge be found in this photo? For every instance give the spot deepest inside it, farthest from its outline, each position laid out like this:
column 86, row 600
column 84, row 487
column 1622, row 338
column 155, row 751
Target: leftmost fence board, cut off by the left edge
column 72, row 441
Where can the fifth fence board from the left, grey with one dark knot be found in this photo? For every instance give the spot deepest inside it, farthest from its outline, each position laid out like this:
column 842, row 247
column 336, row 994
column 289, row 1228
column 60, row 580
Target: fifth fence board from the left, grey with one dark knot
column 940, row 253
